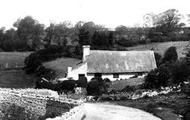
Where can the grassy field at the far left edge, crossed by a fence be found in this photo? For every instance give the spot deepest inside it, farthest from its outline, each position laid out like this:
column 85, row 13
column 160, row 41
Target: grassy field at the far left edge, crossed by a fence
column 11, row 77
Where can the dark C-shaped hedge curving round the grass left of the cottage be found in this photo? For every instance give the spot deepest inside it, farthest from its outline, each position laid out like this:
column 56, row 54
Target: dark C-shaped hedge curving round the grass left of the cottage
column 33, row 63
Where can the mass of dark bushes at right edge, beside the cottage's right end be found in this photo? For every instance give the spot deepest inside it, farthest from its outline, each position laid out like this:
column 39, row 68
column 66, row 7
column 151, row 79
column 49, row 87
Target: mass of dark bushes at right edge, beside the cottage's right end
column 170, row 72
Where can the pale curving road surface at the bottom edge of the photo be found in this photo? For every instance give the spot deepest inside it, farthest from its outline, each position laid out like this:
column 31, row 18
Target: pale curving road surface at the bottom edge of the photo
column 115, row 112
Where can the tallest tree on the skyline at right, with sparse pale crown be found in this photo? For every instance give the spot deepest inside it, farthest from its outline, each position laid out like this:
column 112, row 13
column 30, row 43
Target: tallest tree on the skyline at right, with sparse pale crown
column 167, row 26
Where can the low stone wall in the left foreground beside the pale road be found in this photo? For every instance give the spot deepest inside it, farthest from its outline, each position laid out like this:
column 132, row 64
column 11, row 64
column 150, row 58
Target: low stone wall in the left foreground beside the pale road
column 40, row 105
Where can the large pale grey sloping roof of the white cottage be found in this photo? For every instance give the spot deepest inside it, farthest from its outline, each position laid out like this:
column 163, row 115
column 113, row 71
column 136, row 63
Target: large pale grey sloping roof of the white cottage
column 100, row 61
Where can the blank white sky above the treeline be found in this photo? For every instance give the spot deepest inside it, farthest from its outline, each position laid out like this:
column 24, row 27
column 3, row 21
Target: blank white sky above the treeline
column 110, row 13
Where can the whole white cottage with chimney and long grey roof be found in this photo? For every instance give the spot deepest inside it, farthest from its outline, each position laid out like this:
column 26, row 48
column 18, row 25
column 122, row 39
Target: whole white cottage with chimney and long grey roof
column 113, row 64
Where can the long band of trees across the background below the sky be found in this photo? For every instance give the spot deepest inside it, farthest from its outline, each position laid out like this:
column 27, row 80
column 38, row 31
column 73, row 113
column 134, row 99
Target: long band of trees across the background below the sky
column 30, row 35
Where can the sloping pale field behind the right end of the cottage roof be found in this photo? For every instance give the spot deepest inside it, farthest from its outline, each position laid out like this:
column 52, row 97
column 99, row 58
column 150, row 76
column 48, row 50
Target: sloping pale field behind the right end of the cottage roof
column 162, row 47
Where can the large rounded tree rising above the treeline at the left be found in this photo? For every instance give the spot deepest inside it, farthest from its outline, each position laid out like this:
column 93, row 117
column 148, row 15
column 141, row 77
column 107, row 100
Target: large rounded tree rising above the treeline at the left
column 30, row 32
